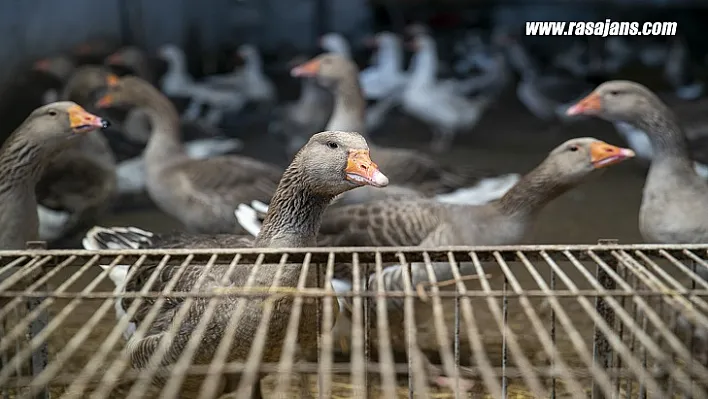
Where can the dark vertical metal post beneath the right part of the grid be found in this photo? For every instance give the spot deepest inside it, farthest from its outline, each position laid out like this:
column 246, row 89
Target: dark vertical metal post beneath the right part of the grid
column 602, row 353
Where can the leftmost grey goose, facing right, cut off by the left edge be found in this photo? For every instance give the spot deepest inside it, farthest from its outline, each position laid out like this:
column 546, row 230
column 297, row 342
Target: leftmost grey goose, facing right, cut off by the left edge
column 26, row 156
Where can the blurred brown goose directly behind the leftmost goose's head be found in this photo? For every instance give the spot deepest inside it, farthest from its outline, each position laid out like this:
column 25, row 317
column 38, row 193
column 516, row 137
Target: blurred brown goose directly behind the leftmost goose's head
column 80, row 183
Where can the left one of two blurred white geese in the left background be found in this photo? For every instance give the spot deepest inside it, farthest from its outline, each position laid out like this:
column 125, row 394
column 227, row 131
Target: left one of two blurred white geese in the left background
column 178, row 83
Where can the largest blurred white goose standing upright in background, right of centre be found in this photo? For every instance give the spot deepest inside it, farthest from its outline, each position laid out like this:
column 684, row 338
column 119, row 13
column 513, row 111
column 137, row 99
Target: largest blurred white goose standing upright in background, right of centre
column 439, row 106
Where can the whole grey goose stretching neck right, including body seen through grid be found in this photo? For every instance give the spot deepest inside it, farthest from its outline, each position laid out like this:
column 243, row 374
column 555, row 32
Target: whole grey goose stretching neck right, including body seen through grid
column 506, row 221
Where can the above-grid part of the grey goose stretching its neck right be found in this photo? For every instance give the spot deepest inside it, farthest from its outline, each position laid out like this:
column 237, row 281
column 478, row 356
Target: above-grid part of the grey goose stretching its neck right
column 501, row 222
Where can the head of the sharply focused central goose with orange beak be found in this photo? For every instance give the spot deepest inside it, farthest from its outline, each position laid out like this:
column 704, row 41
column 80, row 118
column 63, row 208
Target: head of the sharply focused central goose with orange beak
column 336, row 162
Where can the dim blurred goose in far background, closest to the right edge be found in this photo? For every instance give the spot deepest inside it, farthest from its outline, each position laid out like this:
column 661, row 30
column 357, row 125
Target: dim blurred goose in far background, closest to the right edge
column 680, row 72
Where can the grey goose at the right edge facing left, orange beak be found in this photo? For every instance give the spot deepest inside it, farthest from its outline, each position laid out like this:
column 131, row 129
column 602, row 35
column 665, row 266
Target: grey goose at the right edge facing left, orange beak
column 673, row 208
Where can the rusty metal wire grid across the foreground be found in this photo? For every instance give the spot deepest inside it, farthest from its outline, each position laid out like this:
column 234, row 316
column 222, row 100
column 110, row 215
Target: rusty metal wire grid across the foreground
column 525, row 321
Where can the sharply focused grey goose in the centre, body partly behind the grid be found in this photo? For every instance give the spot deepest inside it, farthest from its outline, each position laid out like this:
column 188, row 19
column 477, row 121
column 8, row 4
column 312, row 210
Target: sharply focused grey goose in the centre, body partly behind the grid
column 329, row 164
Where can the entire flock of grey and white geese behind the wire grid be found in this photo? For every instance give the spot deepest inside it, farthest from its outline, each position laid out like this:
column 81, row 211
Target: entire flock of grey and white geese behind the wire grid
column 340, row 189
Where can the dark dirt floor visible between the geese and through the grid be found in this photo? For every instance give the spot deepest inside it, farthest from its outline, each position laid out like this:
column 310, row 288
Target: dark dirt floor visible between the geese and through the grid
column 508, row 140
